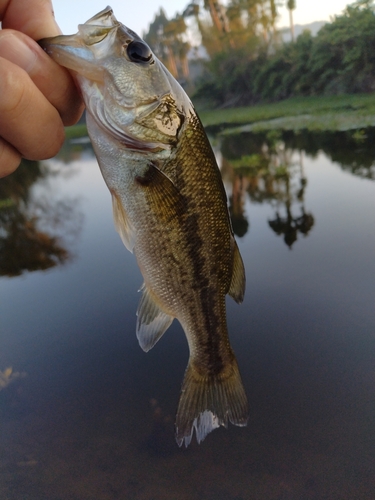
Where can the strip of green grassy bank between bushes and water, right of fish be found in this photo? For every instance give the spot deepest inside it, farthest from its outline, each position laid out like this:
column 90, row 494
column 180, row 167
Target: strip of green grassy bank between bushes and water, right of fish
column 313, row 113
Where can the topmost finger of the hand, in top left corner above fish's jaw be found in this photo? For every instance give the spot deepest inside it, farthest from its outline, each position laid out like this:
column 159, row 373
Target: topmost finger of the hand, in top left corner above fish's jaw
column 15, row 14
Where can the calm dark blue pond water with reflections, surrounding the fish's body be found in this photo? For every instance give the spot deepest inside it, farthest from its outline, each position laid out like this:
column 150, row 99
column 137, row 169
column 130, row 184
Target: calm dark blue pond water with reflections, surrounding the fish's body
column 85, row 414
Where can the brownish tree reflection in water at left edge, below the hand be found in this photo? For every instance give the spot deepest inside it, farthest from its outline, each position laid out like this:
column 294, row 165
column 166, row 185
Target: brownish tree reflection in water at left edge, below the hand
column 30, row 227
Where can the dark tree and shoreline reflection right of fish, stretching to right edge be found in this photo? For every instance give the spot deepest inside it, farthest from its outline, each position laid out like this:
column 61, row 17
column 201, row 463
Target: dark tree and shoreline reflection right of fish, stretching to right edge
column 264, row 165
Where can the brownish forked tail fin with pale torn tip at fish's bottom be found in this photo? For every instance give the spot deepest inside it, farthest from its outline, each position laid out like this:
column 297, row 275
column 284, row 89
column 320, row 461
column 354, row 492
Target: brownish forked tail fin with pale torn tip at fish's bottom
column 207, row 402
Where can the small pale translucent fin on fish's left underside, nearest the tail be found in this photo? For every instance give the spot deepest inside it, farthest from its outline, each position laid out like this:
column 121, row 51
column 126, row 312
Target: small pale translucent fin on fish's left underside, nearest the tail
column 152, row 321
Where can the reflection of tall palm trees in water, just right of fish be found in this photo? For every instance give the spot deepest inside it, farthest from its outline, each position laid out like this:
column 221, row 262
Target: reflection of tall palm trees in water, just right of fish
column 267, row 170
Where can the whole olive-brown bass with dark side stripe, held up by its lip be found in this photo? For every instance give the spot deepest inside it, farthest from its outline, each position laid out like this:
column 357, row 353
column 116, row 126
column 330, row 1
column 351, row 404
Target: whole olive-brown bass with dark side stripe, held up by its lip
column 170, row 209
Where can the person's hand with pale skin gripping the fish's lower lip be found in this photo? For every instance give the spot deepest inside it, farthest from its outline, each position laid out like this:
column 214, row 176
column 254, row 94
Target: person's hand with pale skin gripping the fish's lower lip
column 37, row 96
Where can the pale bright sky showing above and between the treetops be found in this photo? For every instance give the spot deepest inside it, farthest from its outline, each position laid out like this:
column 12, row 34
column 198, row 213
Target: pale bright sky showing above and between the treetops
column 138, row 14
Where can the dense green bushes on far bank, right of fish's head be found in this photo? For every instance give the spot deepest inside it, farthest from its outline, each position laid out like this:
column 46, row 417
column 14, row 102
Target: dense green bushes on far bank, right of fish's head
column 339, row 60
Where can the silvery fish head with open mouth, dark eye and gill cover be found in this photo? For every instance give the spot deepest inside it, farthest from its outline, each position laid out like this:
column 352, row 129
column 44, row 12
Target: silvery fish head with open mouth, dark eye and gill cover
column 140, row 119
